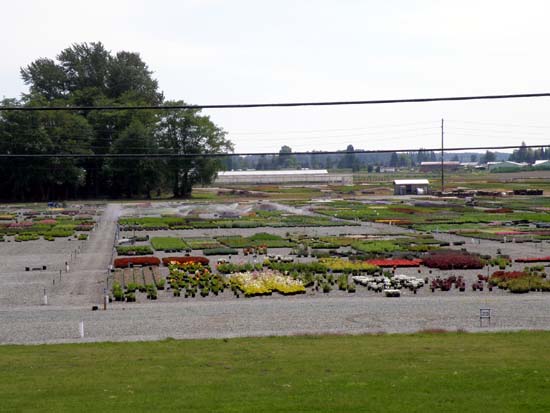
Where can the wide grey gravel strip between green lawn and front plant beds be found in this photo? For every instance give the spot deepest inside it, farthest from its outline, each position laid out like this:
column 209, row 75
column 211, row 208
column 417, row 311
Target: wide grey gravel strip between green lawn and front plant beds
column 271, row 316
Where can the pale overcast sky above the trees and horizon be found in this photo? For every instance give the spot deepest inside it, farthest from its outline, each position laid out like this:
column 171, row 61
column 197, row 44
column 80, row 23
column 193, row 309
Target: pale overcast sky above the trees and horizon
column 212, row 52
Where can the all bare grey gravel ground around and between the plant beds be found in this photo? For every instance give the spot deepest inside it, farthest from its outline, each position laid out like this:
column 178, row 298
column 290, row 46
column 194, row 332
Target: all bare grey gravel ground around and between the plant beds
column 24, row 320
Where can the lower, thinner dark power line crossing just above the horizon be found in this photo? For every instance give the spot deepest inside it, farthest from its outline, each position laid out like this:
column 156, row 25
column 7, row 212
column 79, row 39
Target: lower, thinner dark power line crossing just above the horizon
column 222, row 155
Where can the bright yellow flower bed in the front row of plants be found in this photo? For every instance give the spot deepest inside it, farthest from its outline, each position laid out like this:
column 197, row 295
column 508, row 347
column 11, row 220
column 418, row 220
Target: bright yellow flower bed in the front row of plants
column 265, row 282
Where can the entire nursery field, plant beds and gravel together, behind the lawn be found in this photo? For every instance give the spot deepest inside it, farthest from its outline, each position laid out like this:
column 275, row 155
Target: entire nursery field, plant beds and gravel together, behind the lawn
column 299, row 268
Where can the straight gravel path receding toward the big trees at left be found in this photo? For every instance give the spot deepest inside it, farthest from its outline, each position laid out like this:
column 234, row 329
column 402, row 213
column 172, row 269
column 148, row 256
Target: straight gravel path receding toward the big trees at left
column 84, row 283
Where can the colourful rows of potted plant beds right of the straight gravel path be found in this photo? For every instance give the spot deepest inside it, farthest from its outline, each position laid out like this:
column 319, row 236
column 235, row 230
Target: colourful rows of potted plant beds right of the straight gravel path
column 394, row 247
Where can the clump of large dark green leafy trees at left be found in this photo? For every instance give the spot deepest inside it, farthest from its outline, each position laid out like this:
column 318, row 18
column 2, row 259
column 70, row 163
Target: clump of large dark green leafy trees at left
column 88, row 75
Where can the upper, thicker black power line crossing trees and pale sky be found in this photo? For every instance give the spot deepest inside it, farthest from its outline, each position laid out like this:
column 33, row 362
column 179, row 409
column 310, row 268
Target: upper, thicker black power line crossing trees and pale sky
column 276, row 105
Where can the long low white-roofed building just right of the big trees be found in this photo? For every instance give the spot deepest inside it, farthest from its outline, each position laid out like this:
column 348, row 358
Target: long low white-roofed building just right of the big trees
column 299, row 176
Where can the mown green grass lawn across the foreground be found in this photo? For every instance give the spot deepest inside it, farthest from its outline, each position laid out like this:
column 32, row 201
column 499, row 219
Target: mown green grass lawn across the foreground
column 391, row 373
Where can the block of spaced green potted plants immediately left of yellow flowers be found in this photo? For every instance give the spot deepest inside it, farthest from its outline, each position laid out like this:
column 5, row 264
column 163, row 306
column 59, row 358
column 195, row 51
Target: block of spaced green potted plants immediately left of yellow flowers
column 194, row 278
